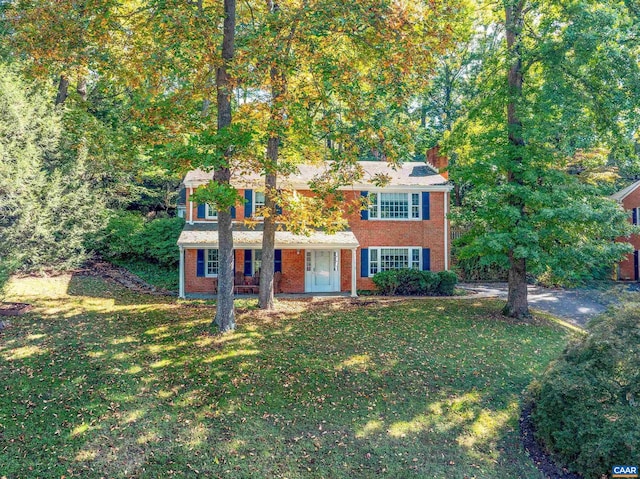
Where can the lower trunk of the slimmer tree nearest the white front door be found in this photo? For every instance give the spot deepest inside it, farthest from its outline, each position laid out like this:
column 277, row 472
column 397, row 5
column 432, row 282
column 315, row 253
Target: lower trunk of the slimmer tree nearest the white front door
column 265, row 297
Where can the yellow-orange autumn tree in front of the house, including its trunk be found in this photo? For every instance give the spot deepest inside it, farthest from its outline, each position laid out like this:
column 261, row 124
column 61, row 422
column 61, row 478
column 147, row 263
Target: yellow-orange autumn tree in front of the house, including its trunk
column 333, row 81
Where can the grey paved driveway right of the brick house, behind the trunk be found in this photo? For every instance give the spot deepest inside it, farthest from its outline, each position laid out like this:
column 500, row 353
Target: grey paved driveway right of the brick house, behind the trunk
column 575, row 306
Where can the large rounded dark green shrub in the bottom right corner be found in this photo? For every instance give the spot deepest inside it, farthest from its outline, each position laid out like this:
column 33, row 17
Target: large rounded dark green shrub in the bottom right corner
column 587, row 405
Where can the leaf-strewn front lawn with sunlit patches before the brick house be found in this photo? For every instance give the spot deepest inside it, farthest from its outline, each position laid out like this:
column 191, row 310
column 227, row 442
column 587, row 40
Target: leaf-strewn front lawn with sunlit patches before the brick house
column 100, row 382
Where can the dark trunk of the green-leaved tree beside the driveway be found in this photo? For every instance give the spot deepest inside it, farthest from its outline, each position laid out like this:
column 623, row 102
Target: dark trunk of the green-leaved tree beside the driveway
column 517, row 305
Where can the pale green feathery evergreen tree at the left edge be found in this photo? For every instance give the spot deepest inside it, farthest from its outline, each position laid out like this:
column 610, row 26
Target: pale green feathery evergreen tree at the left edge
column 47, row 209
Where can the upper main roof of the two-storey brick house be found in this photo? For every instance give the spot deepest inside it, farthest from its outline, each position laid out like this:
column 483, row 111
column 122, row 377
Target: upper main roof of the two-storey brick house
column 407, row 174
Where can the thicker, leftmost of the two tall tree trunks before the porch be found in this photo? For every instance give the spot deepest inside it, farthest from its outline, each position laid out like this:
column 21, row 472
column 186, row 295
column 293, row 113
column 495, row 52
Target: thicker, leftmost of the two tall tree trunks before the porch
column 225, row 312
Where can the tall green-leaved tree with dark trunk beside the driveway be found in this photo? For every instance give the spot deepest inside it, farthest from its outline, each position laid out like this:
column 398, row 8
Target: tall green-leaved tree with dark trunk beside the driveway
column 564, row 82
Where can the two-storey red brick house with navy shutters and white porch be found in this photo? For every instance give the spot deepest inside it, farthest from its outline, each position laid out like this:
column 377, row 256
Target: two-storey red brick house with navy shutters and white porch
column 405, row 227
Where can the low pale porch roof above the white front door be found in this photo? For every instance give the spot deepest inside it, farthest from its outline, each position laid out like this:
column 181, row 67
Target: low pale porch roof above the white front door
column 205, row 235
